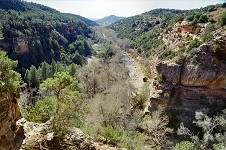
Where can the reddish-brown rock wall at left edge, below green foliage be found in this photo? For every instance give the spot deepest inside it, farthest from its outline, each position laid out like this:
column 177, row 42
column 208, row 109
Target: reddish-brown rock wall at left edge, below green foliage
column 9, row 114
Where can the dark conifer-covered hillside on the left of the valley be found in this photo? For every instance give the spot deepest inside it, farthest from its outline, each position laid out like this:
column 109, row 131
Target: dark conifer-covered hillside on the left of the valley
column 33, row 33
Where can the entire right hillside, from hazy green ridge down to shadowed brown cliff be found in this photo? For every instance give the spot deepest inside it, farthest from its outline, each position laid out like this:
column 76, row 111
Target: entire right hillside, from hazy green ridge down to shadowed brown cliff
column 182, row 51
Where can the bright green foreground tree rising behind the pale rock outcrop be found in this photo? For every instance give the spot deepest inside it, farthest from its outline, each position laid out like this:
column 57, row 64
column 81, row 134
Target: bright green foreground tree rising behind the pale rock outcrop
column 64, row 89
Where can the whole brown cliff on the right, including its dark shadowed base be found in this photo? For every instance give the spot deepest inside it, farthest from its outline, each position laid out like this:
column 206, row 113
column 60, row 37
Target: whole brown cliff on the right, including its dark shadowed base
column 192, row 86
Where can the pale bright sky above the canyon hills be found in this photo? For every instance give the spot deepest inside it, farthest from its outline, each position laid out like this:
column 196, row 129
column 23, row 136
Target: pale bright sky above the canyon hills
column 125, row 8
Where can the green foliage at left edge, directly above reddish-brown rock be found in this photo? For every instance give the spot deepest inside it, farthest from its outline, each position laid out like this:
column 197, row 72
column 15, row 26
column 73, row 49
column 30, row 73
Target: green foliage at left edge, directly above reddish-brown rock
column 9, row 79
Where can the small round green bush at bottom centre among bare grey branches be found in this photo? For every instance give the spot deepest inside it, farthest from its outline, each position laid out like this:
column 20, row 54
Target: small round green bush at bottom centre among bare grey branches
column 112, row 136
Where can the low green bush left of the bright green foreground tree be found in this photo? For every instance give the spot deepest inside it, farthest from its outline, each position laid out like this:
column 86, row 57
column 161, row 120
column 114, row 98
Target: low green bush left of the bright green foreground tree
column 42, row 111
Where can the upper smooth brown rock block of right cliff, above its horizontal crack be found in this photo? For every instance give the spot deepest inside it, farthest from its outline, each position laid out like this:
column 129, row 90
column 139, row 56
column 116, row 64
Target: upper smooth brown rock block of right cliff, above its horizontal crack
column 208, row 72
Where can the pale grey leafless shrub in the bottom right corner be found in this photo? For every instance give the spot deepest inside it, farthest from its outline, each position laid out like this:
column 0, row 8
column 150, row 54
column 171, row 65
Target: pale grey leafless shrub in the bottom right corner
column 213, row 130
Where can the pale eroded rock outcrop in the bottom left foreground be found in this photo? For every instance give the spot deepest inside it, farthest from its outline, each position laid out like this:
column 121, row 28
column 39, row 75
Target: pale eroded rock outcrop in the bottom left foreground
column 41, row 136
